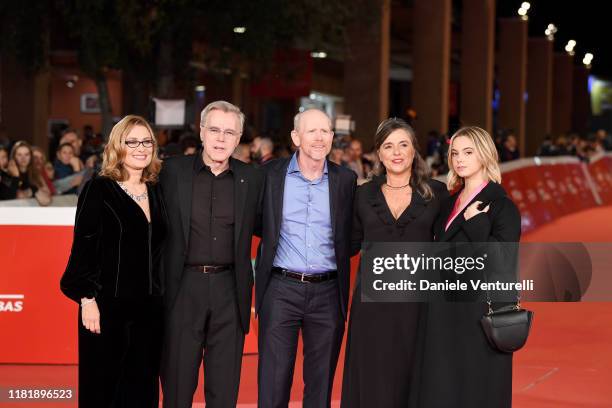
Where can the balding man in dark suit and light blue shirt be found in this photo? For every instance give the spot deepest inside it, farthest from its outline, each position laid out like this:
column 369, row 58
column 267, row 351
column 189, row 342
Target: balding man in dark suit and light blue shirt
column 303, row 267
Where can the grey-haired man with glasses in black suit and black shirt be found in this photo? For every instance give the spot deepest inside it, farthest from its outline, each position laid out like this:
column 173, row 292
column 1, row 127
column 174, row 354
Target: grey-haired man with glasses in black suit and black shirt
column 211, row 201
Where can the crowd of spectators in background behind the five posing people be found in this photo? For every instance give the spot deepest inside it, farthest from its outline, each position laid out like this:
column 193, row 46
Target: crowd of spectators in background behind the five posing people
column 75, row 156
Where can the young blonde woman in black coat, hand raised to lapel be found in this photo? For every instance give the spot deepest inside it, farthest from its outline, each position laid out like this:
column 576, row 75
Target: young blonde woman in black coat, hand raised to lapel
column 457, row 367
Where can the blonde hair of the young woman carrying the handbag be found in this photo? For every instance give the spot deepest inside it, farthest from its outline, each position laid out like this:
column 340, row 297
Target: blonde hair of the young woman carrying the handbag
column 487, row 153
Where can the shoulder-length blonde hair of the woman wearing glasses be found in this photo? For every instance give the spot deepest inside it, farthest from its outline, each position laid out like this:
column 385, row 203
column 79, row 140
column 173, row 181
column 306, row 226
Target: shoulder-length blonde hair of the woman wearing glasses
column 114, row 151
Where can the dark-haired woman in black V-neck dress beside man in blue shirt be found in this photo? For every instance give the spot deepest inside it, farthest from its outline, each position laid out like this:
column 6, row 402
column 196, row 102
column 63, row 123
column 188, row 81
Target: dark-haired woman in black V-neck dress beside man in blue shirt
column 399, row 206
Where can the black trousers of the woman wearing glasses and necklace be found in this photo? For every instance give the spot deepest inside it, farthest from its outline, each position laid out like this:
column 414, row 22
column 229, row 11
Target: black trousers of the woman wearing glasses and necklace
column 120, row 366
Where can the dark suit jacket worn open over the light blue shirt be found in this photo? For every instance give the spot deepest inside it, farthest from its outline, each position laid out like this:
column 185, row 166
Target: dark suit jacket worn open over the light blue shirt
column 342, row 183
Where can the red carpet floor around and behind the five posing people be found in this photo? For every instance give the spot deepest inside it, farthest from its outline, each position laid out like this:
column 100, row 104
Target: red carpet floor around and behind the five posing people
column 567, row 362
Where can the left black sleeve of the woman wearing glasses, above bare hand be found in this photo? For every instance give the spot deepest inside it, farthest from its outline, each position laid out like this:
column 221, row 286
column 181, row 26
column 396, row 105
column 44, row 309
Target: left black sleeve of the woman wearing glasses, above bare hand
column 81, row 277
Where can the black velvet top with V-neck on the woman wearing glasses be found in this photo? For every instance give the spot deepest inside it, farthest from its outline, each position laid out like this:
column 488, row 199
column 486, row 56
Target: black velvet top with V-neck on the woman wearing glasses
column 115, row 251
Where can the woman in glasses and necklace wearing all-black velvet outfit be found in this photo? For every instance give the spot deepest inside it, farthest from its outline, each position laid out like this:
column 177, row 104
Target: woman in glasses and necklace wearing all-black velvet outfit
column 113, row 272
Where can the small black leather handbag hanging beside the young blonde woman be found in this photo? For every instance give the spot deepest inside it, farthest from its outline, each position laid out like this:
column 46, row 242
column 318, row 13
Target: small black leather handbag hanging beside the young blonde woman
column 507, row 328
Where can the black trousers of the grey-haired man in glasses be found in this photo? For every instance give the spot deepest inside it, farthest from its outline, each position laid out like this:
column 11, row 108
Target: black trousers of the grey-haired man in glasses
column 203, row 324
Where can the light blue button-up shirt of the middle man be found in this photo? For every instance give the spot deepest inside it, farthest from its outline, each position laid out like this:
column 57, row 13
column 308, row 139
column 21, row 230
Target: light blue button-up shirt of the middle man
column 306, row 242
